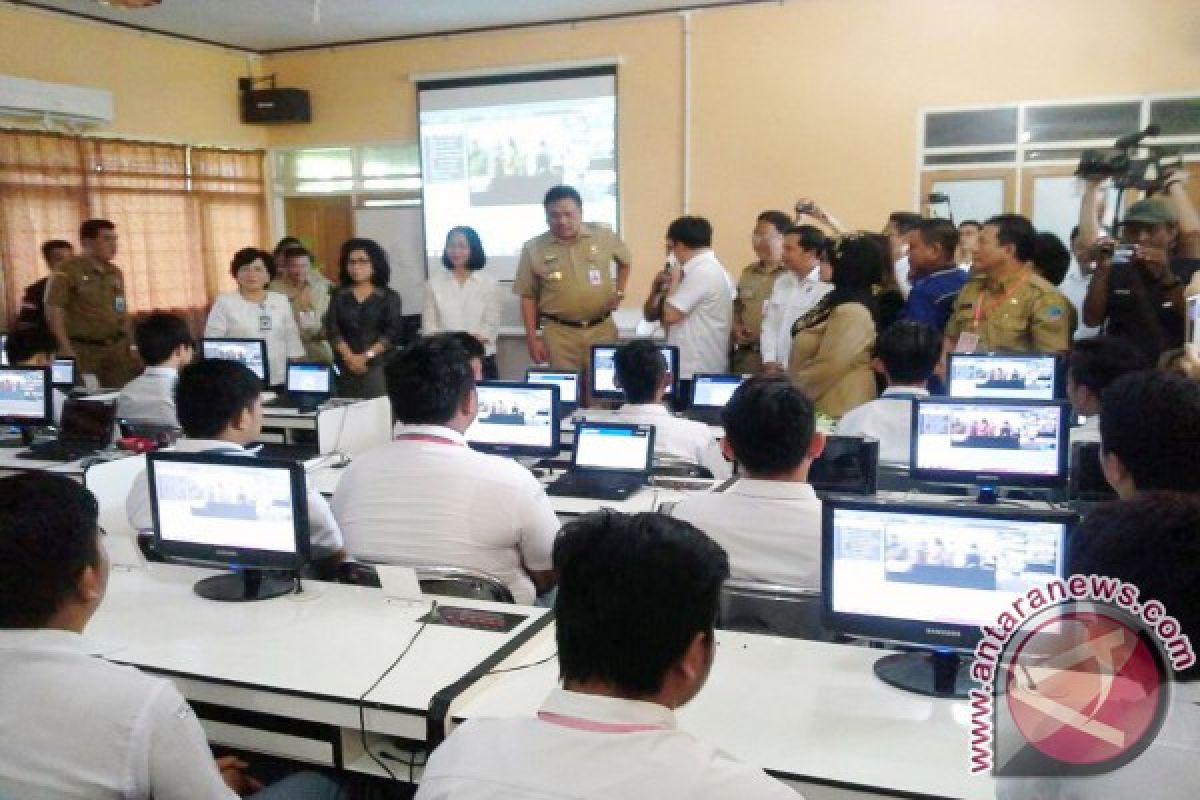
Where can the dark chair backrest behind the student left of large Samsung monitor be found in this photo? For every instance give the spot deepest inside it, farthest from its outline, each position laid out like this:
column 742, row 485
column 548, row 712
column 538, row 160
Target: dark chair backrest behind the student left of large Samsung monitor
column 771, row 609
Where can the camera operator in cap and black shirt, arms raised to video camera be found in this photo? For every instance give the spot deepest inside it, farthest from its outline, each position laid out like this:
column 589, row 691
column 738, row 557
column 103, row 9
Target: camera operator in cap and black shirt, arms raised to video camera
column 1141, row 298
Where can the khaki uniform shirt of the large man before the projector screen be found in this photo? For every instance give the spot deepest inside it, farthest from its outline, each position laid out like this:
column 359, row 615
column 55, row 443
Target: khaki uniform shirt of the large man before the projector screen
column 572, row 280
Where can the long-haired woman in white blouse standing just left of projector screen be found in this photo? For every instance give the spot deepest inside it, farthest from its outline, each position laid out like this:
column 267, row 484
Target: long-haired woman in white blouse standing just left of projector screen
column 463, row 298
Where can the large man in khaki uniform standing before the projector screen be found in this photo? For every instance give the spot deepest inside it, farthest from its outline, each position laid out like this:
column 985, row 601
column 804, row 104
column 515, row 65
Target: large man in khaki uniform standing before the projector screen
column 565, row 281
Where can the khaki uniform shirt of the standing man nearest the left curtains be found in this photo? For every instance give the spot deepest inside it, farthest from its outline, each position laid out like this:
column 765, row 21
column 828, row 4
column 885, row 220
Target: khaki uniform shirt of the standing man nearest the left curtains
column 92, row 293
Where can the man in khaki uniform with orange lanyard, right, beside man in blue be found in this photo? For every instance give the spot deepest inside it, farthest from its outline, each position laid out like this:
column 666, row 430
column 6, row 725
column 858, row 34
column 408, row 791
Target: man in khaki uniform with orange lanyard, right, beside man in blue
column 1006, row 306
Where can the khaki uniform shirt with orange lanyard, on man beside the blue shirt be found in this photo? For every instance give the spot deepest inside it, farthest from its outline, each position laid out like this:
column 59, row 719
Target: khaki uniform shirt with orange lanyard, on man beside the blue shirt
column 1021, row 314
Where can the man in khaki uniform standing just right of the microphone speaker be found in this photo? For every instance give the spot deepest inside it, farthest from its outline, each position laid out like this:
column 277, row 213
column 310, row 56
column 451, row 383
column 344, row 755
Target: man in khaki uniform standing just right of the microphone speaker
column 755, row 286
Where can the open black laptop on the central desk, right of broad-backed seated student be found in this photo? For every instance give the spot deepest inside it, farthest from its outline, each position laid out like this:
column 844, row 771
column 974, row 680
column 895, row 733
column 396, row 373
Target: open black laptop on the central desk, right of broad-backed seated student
column 611, row 461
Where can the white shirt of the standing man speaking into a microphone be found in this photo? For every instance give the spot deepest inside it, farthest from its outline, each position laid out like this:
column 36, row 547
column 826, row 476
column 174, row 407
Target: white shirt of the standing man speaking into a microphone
column 705, row 297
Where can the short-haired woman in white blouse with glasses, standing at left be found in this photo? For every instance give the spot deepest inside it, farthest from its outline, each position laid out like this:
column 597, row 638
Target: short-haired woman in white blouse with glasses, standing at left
column 255, row 314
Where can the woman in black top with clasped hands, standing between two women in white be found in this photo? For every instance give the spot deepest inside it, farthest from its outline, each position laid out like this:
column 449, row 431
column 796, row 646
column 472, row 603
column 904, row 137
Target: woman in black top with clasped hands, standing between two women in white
column 364, row 320
